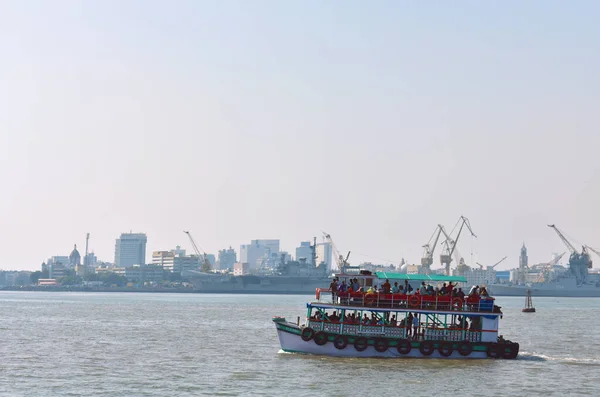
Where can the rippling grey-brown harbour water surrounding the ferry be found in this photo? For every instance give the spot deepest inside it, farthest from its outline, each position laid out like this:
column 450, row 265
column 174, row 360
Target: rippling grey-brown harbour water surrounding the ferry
column 112, row 344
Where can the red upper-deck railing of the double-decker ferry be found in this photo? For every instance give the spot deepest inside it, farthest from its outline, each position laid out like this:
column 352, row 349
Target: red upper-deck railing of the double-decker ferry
column 472, row 303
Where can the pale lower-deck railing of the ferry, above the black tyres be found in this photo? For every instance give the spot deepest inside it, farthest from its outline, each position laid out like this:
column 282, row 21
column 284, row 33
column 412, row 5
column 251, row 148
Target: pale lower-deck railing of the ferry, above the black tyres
column 397, row 331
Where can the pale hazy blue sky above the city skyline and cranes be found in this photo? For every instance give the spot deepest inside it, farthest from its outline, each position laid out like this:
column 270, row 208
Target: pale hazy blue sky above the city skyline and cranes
column 239, row 120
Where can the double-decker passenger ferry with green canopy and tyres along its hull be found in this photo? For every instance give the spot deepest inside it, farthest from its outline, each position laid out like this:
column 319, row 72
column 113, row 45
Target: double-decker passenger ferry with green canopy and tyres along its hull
column 376, row 324
